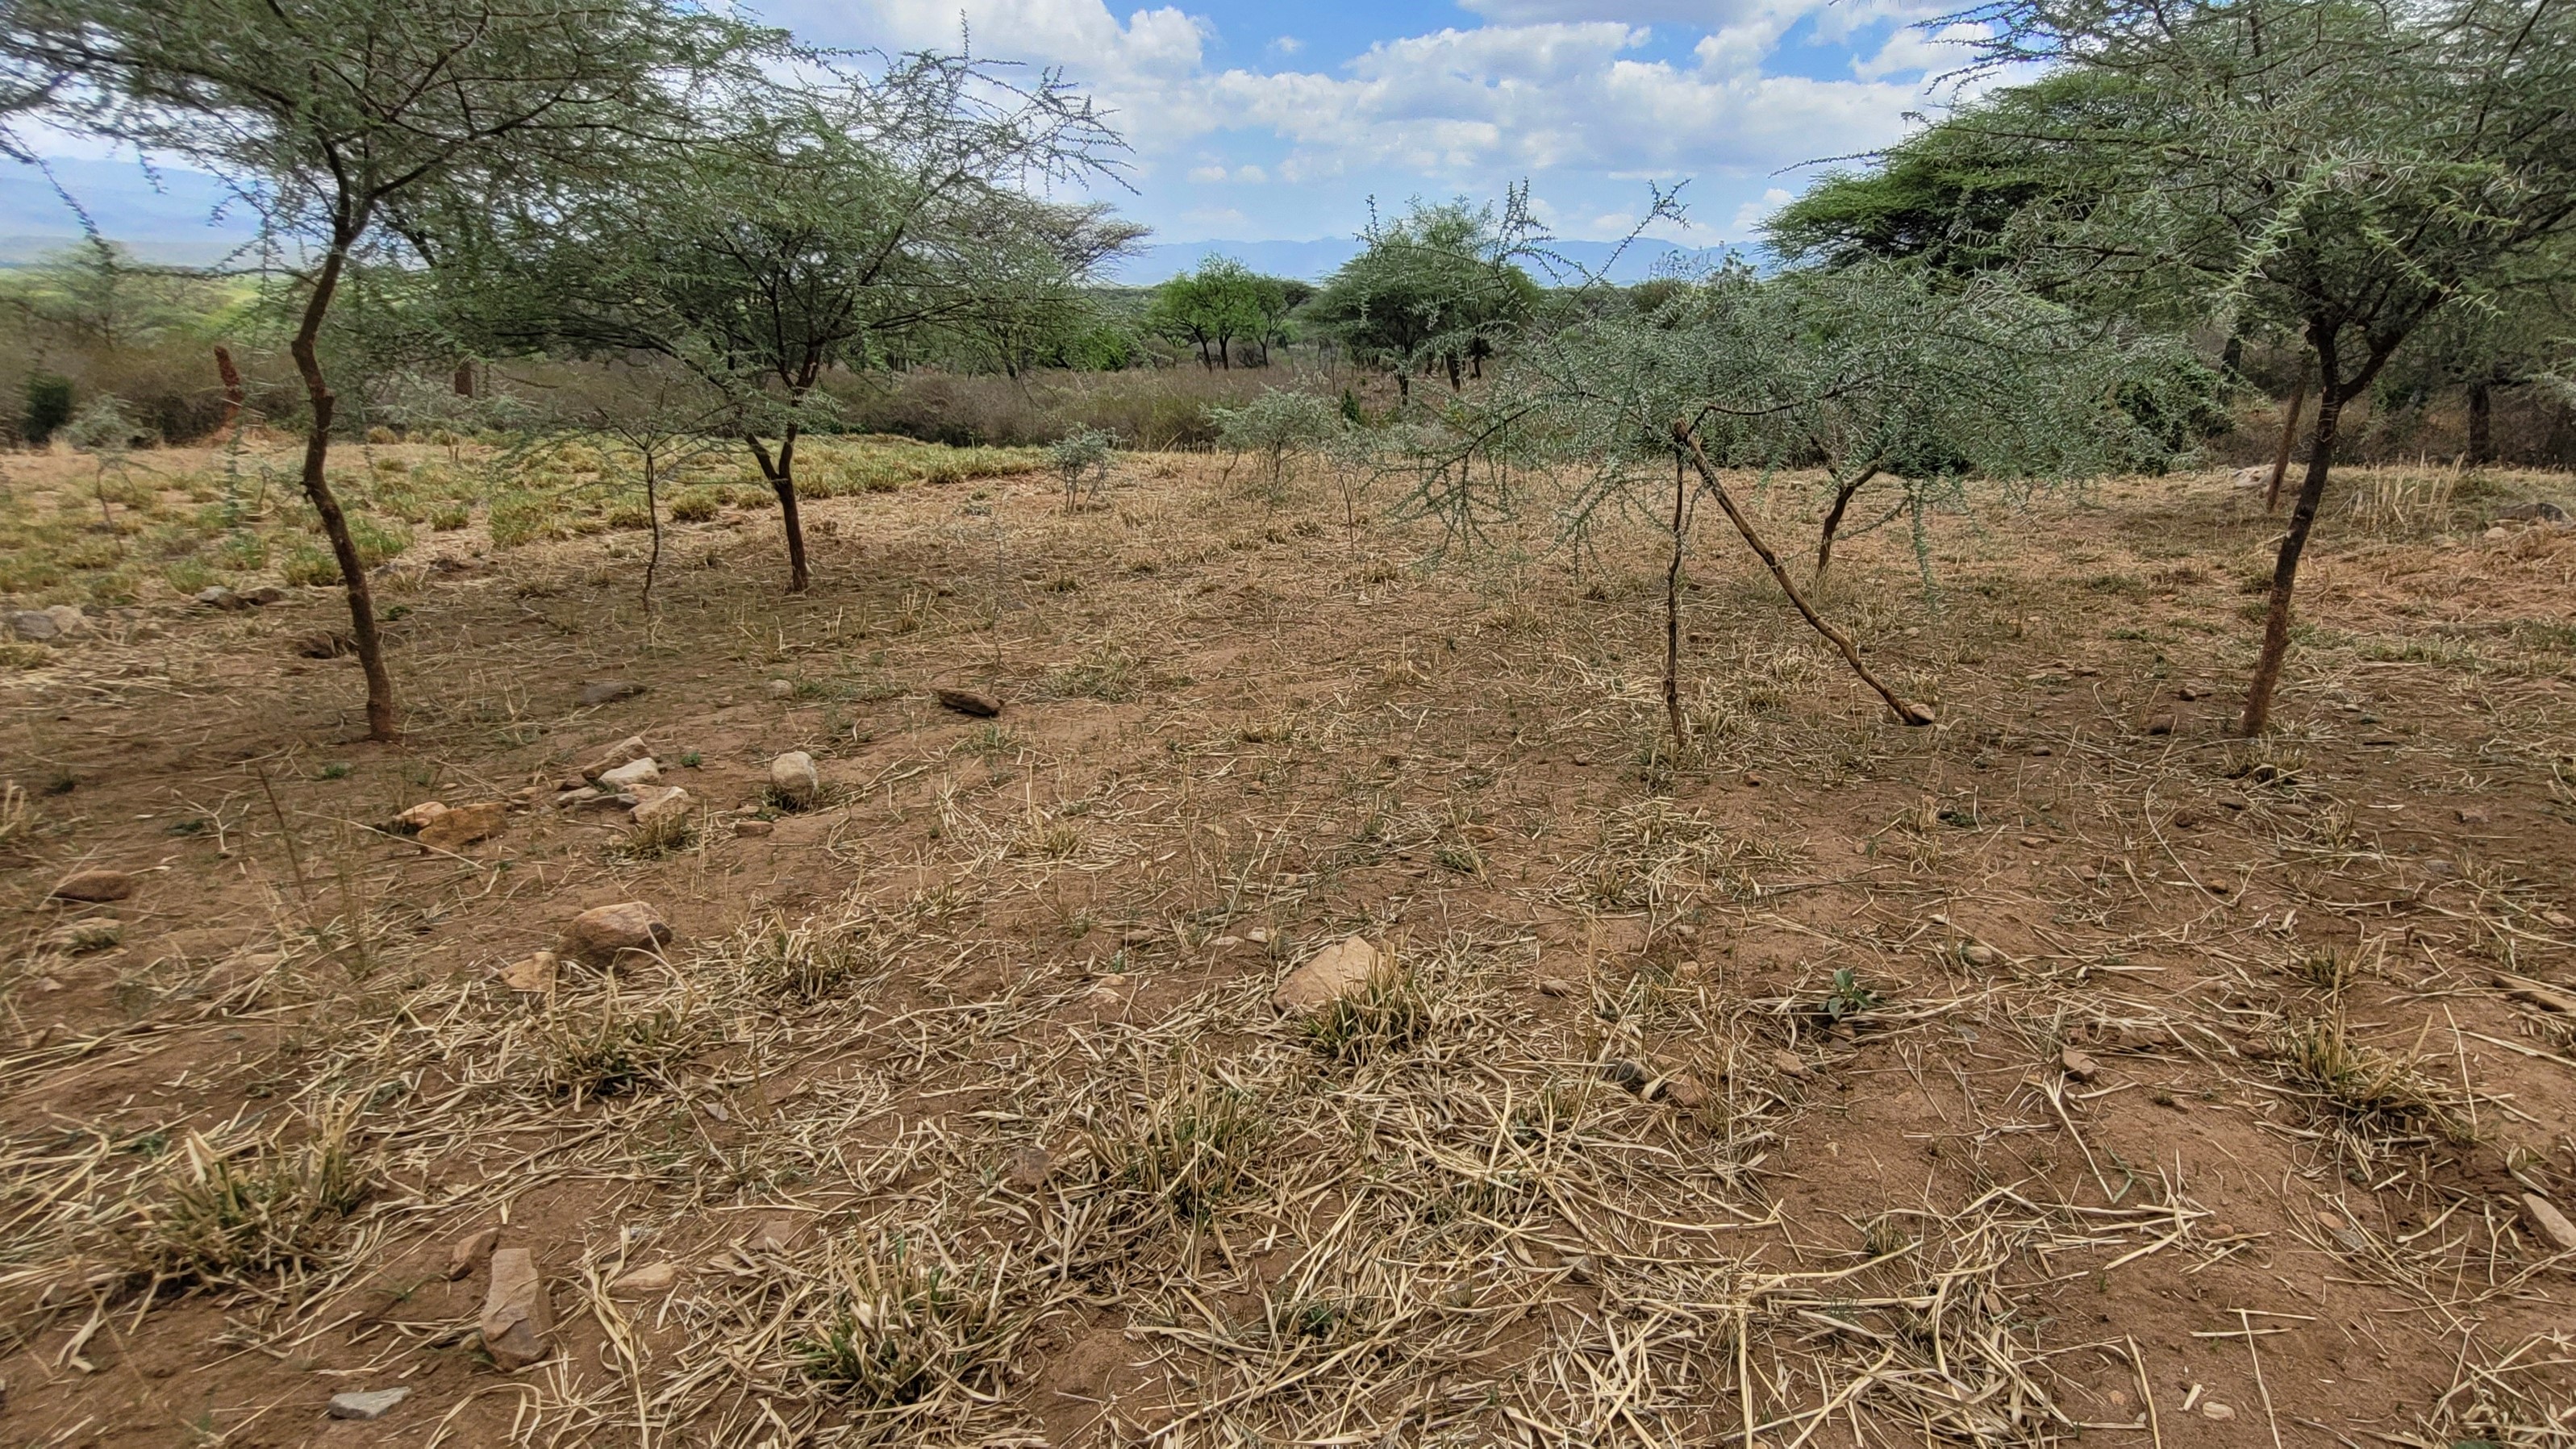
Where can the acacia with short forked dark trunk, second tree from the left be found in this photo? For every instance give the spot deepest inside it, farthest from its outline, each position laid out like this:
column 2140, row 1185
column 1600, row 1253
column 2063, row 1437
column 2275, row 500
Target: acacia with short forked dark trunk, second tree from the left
column 836, row 223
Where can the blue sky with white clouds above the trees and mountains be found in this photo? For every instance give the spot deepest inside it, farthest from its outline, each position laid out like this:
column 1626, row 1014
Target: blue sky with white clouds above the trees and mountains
column 1282, row 122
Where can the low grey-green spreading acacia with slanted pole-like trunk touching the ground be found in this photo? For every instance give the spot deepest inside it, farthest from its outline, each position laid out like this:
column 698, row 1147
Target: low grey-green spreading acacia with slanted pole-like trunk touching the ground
column 1735, row 372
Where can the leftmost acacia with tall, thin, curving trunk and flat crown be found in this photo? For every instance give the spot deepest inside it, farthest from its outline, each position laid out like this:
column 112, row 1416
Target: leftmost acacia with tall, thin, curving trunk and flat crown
column 339, row 117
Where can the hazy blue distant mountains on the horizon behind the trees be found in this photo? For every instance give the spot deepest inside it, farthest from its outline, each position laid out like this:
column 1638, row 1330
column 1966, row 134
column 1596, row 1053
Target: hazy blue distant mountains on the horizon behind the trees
column 179, row 217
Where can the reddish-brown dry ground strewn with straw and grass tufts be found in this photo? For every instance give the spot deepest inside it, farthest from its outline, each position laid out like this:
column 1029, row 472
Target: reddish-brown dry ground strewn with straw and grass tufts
column 2067, row 1069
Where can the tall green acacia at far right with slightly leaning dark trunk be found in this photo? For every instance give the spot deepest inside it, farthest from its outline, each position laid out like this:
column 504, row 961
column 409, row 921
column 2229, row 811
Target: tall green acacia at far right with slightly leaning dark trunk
column 2330, row 169
